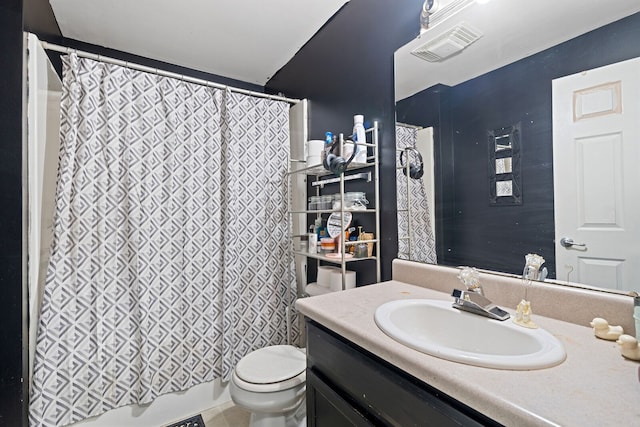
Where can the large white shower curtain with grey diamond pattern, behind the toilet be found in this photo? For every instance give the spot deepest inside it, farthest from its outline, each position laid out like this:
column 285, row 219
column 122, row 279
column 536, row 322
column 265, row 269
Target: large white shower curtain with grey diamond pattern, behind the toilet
column 170, row 253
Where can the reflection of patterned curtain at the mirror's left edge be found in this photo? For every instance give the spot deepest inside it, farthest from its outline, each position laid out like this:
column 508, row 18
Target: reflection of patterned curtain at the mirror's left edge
column 420, row 244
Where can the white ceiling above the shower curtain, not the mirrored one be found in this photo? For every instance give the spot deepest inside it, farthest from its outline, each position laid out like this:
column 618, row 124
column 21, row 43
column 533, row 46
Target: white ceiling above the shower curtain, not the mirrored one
column 248, row 40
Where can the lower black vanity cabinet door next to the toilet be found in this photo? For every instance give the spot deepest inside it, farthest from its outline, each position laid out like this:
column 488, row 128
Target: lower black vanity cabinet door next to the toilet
column 326, row 408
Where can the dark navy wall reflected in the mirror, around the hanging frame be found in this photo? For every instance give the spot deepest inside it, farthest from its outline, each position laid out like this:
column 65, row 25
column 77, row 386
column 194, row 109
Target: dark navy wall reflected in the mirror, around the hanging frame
column 497, row 237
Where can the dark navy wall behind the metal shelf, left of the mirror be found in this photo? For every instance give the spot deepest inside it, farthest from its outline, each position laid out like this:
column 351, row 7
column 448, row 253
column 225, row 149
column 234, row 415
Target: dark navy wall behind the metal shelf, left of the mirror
column 347, row 69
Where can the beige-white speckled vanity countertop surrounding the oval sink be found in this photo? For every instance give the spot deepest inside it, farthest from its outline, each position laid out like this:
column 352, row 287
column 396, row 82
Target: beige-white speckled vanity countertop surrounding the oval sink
column 594, row 386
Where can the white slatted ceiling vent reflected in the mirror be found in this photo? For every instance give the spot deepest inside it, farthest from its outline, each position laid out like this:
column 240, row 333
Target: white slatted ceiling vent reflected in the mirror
column 447, row 44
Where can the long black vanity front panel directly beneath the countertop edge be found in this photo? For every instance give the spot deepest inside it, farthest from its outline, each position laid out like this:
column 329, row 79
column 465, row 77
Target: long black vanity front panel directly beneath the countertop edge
column 387, row 395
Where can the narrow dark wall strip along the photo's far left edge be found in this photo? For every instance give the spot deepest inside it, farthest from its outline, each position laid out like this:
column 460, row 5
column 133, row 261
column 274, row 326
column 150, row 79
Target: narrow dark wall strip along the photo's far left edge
column 12, row 364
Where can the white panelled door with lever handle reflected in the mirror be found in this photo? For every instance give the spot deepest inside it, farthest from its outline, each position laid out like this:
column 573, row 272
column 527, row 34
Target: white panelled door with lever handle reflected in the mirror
column 596, row 168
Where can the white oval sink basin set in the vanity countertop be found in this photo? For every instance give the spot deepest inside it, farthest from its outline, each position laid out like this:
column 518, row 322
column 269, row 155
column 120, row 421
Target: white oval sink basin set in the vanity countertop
column 435, row 328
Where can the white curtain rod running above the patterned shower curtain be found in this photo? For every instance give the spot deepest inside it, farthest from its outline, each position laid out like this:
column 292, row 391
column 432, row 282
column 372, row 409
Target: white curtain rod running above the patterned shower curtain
column 134, row 66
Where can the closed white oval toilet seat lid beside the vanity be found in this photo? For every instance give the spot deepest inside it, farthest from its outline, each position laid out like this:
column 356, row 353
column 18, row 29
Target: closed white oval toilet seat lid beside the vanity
column 271, row 364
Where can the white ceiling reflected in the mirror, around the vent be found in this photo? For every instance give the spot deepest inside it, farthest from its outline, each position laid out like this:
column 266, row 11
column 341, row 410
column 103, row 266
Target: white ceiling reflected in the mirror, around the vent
column 513, row 29
